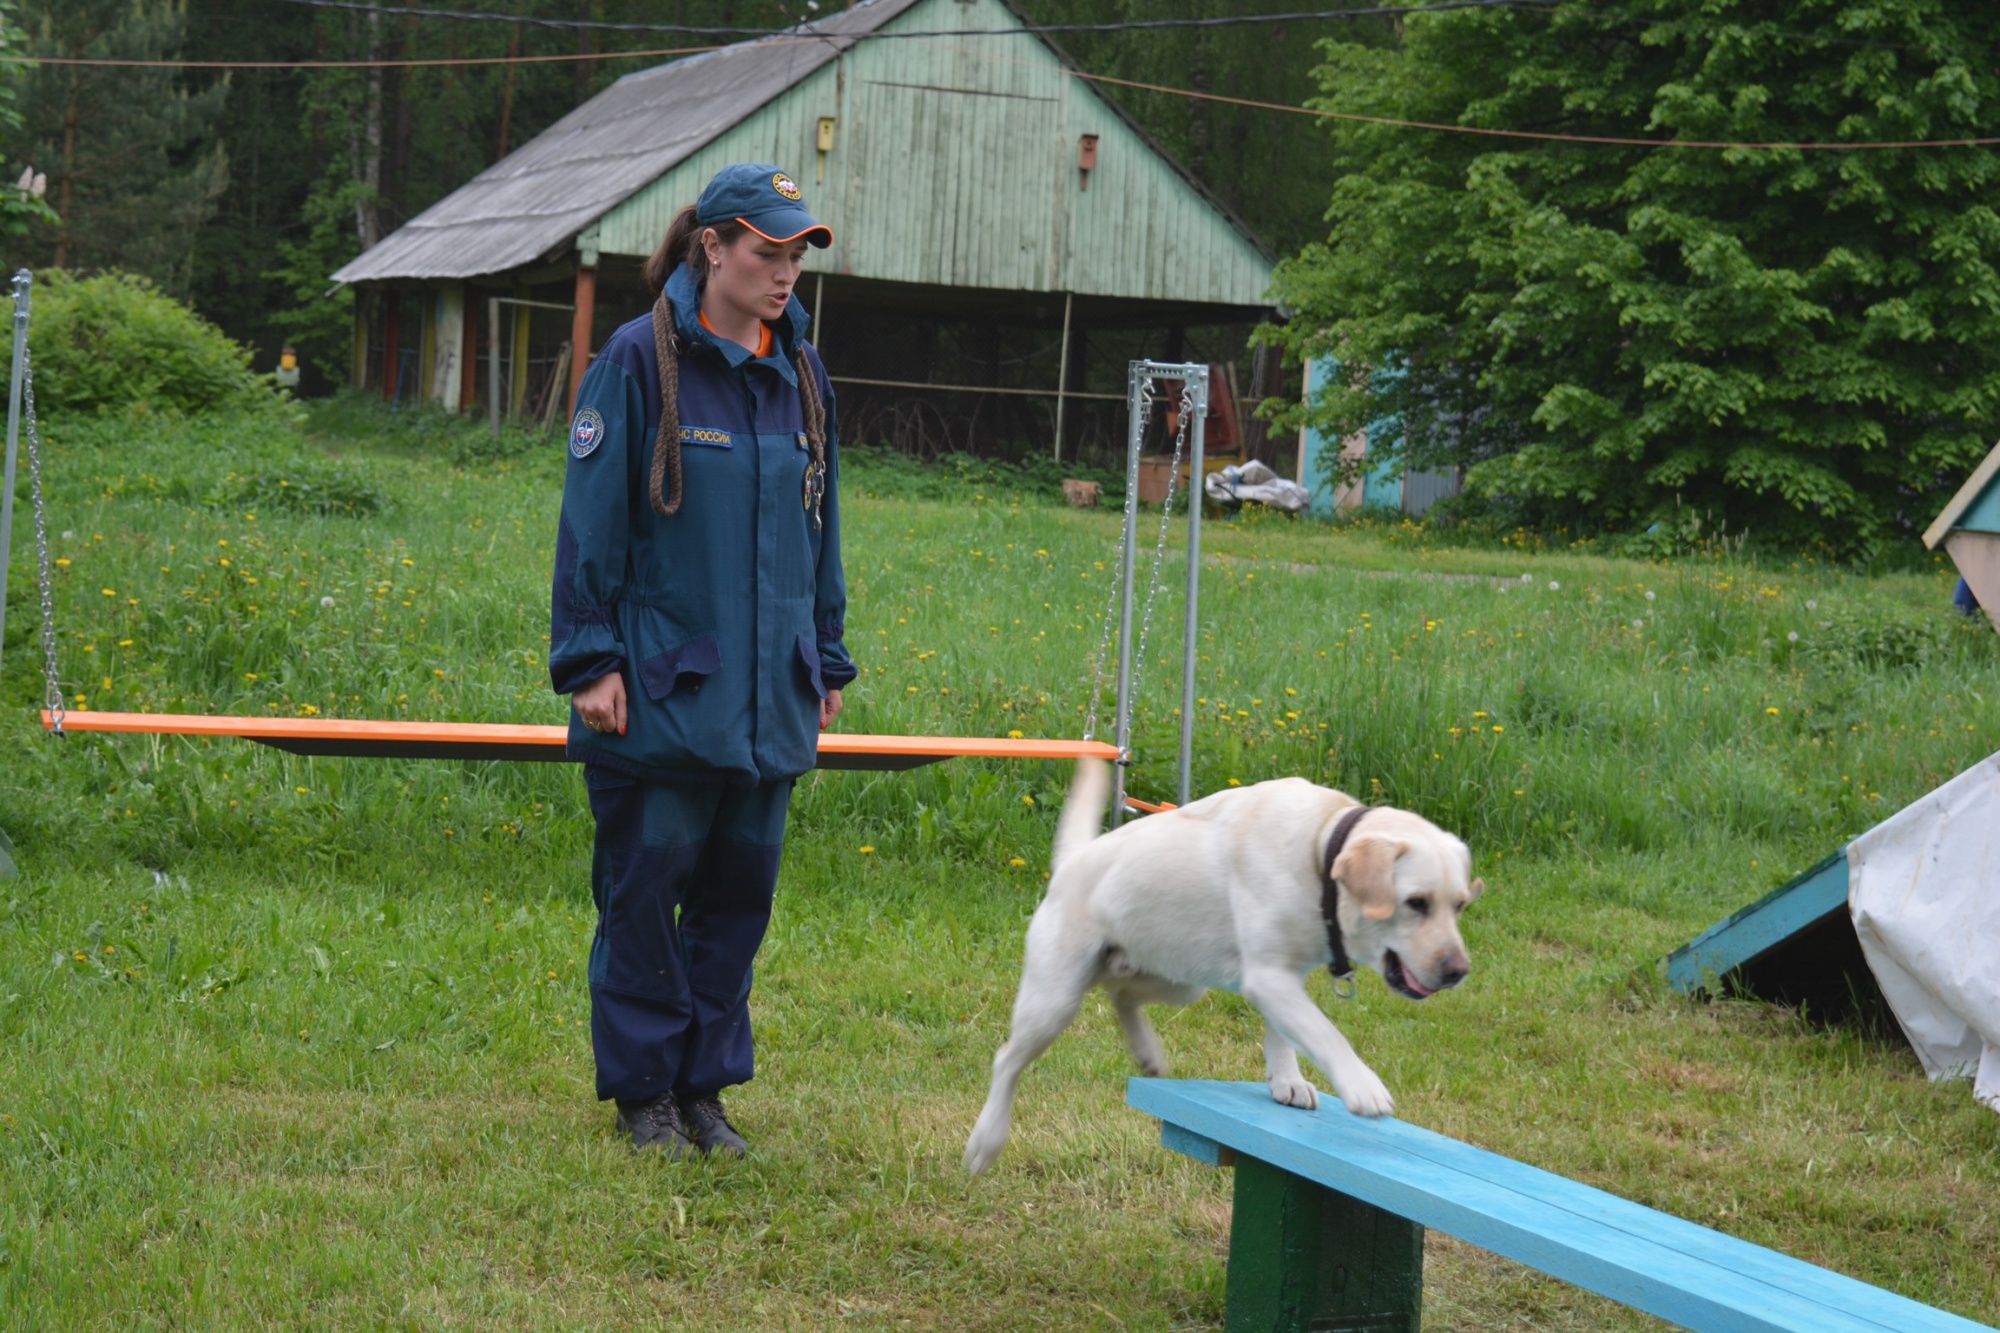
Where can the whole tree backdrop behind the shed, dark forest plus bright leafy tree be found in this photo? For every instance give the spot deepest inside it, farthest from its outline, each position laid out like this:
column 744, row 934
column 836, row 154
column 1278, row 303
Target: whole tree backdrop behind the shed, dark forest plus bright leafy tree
column 1599, row 335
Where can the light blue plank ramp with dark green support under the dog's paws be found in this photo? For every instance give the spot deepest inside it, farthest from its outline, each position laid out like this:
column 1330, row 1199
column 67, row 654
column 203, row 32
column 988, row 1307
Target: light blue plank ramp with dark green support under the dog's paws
column 1331, row 1216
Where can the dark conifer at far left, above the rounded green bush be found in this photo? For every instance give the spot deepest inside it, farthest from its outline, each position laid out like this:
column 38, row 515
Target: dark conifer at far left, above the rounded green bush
column 133, row 167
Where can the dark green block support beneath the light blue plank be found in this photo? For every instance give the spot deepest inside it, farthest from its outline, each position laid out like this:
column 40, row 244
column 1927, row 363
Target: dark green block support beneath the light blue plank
column 1305, row 1258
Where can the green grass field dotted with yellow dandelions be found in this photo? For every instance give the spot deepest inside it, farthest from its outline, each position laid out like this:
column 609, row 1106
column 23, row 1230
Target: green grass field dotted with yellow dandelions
column 301, row 1044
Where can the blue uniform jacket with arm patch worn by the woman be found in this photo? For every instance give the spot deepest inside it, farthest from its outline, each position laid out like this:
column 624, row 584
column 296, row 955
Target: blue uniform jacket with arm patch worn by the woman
column 725, row 619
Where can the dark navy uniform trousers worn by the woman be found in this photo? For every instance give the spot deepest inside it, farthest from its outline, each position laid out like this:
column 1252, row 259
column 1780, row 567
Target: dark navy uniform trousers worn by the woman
column 683, row 878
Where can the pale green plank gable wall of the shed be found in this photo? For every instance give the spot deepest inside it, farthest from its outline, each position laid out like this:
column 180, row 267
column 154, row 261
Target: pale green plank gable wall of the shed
column 957, row 165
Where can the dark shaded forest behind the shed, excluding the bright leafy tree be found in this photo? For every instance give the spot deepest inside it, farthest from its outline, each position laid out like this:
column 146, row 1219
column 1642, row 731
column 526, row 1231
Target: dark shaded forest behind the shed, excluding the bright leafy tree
column 239, row 191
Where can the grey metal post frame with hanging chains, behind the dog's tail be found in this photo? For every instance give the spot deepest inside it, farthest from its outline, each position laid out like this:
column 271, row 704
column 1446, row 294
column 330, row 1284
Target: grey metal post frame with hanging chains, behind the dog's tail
column 1193, row 377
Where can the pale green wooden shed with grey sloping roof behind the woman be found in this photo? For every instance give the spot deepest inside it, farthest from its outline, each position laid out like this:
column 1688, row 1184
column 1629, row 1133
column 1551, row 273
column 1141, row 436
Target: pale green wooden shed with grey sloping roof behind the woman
column 993, row 215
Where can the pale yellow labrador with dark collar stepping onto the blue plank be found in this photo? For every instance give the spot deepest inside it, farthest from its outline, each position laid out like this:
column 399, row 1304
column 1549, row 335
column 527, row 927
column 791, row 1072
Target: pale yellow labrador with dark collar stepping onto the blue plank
column 1245, row 892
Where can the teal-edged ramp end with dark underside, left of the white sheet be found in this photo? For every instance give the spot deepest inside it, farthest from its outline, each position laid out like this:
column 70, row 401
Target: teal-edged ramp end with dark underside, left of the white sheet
column 1795, row 946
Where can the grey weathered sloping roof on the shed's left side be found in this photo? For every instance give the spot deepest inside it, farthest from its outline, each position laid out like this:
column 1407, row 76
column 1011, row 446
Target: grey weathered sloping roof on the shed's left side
column 545, row 193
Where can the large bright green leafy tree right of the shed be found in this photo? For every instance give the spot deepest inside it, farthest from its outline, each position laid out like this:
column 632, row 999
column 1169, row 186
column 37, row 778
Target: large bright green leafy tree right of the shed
column 1805, row 343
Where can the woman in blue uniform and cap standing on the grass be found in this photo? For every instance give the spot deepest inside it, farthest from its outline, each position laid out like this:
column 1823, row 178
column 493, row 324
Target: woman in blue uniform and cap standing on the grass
column 697, row 623
